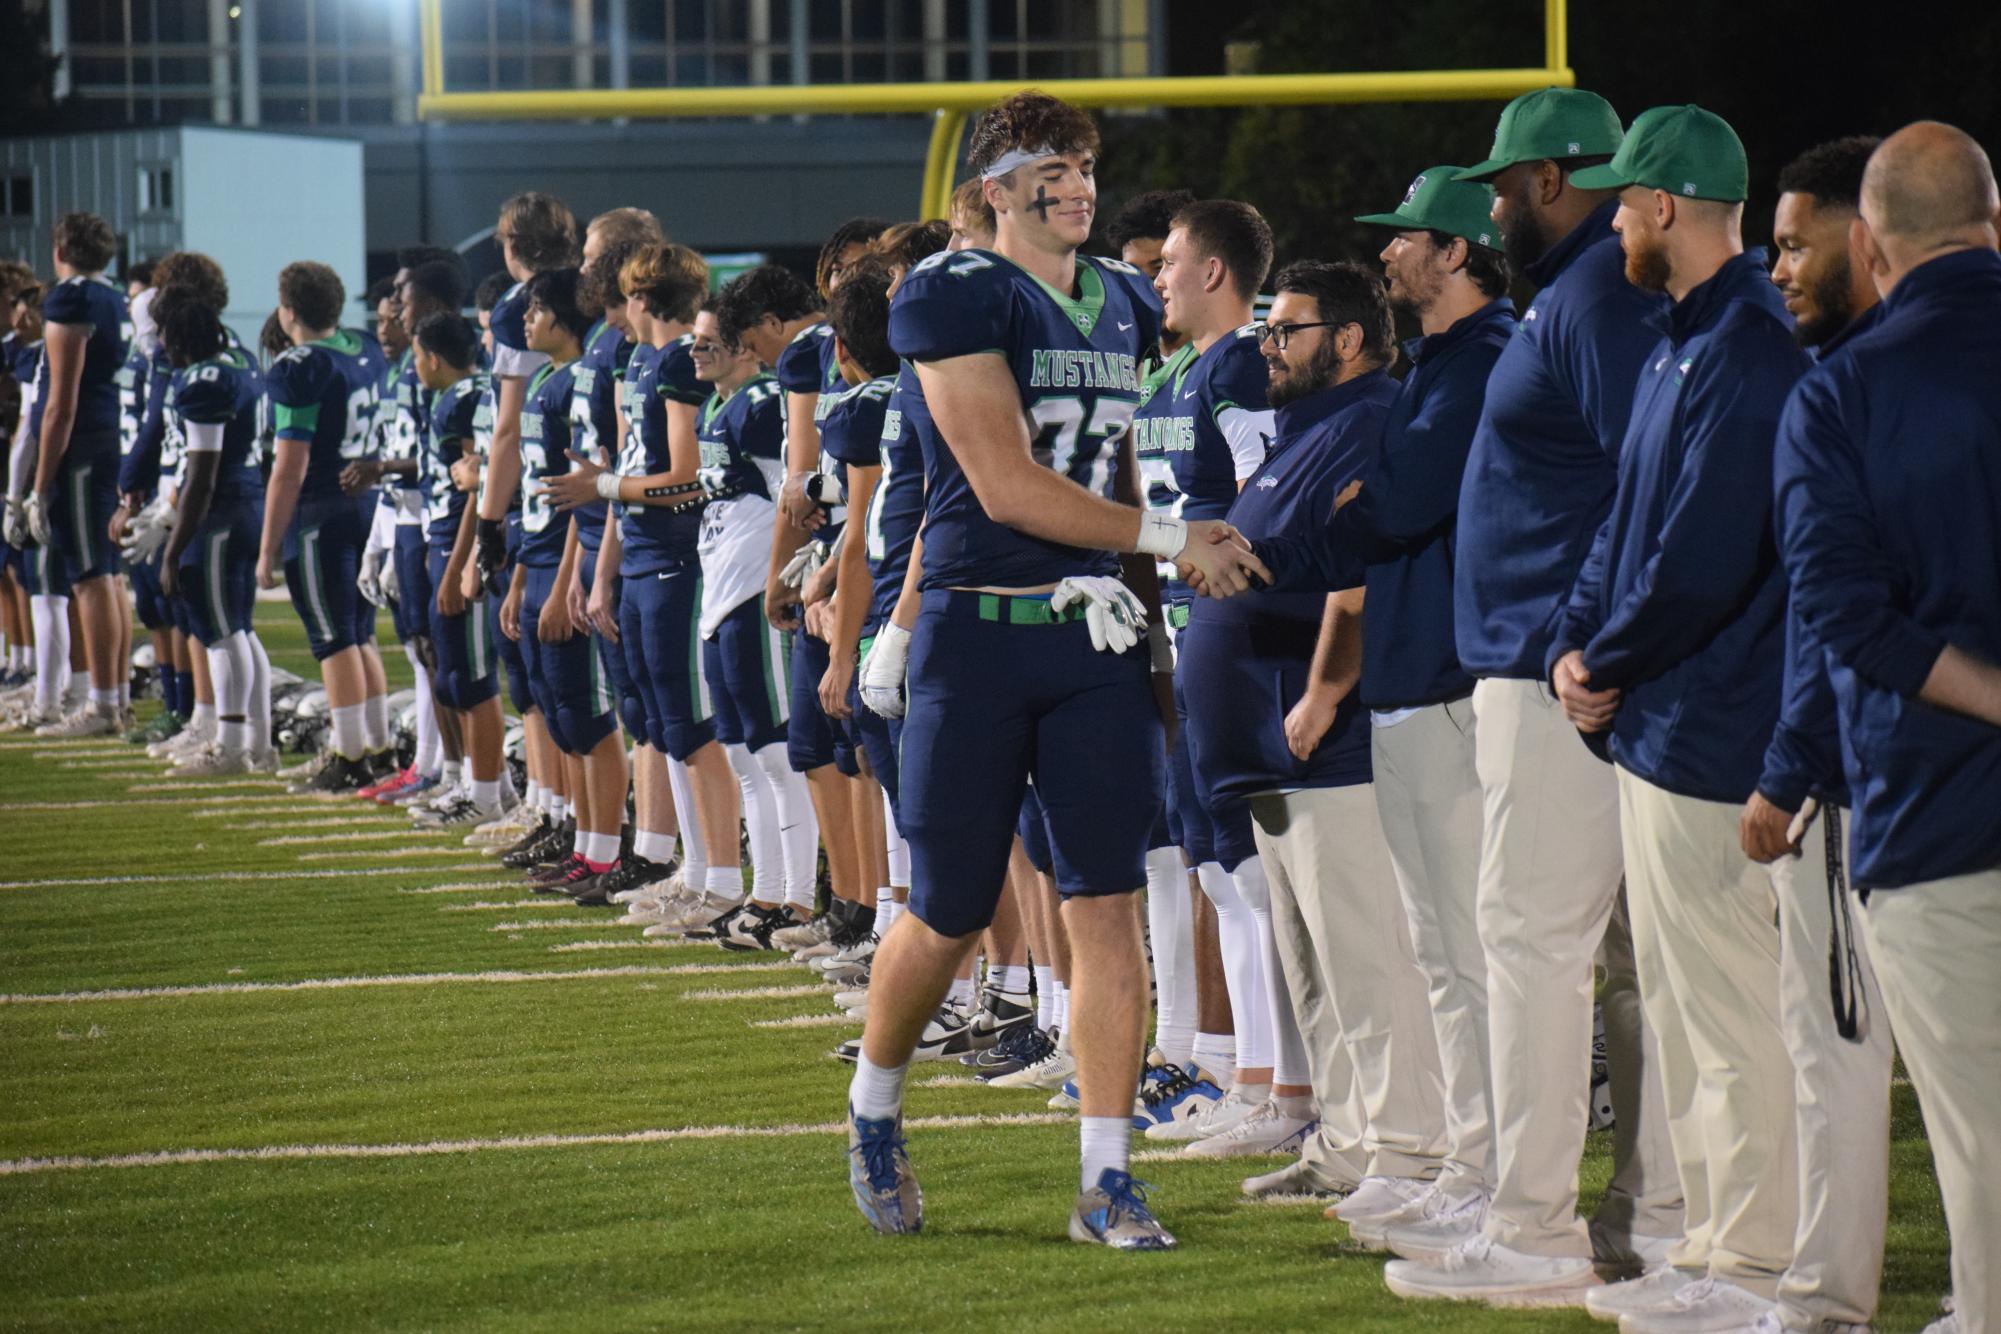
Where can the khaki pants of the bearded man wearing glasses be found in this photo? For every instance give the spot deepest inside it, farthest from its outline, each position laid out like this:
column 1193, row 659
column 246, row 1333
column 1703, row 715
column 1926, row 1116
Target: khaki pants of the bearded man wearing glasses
column 1352, row 975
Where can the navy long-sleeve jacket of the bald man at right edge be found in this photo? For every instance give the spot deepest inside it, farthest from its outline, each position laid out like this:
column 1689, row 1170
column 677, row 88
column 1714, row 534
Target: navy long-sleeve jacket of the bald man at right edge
column 1890, row 499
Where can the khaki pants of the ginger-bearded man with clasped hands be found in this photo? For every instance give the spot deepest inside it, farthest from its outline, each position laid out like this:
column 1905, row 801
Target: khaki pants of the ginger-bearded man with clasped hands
column 1706, row 931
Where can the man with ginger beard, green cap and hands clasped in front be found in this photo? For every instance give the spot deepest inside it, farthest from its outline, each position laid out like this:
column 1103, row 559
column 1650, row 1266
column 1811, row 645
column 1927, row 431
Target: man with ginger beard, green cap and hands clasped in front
column 1674, row 643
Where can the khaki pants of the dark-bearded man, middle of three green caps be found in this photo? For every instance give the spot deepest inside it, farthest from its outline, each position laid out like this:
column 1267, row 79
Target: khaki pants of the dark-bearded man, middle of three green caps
column 1548, row 899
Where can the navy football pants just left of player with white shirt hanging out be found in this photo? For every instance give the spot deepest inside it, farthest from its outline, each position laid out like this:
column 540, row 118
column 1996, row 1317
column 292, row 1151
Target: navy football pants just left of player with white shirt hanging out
column 659, row 631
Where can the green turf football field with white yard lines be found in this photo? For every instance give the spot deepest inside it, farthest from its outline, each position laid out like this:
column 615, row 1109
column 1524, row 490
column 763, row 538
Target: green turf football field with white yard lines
column 279, row 1063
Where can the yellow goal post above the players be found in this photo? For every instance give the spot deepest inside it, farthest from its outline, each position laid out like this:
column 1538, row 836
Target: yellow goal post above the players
column 951, row 103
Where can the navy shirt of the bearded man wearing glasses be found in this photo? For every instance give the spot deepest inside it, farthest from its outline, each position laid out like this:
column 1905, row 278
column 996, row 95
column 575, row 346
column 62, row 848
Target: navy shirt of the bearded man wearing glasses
column 1246, row 661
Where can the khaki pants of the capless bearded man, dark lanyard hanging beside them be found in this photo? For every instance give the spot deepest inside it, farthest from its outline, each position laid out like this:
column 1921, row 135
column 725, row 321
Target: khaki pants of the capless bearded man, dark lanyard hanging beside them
column 1842, row 1095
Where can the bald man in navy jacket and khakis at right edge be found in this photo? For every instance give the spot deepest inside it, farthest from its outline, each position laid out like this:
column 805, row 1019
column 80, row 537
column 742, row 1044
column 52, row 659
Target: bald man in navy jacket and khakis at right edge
column 1888, row 489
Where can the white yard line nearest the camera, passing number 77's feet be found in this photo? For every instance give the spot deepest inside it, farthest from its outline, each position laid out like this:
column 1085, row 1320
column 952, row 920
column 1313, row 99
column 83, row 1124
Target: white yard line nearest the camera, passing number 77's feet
column 179, row 1157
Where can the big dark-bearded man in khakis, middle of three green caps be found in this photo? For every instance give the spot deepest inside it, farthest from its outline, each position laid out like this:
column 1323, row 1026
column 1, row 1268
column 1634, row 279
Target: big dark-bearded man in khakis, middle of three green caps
column 1540, row 481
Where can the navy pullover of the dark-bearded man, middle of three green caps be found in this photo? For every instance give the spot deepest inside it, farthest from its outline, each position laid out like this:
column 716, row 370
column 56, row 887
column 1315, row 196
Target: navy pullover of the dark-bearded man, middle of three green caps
column 1544, row 465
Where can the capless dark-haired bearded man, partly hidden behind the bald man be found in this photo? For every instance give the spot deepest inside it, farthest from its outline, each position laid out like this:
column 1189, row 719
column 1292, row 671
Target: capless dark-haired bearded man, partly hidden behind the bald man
column 1838, row 1037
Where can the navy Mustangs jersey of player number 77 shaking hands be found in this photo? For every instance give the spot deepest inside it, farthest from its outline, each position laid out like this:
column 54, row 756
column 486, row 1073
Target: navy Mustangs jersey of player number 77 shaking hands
column 1076, row 361
